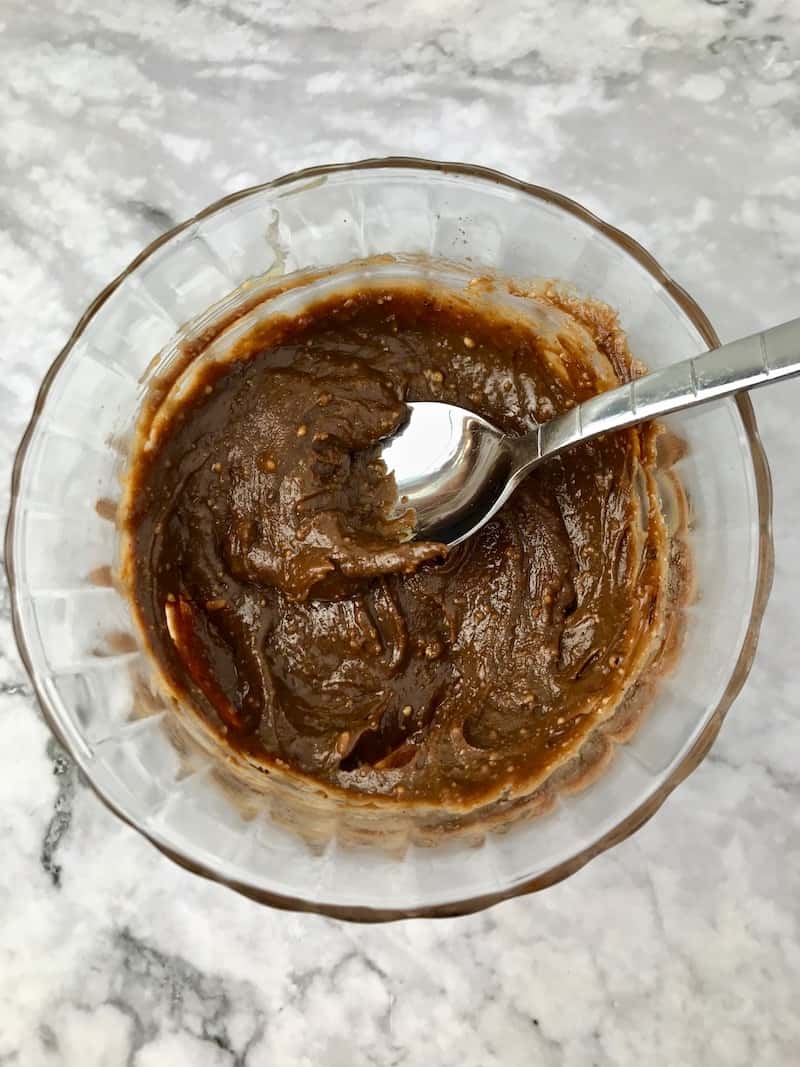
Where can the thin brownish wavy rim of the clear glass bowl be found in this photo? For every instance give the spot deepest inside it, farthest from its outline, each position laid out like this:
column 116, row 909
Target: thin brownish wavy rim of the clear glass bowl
column 765, row 565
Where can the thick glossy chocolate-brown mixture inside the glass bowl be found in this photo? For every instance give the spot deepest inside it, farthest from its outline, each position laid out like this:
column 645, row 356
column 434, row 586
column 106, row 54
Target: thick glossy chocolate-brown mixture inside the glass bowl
column 276, row 581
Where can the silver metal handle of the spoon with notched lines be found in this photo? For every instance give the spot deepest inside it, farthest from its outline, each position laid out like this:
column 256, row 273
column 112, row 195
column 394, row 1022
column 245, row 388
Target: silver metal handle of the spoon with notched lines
column 759, row 360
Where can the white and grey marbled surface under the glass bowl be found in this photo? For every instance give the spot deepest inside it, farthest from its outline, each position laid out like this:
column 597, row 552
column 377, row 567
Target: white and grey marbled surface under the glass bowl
column 680, row 122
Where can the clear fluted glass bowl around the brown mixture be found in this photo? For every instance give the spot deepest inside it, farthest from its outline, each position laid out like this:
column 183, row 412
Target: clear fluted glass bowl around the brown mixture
column 75, row 630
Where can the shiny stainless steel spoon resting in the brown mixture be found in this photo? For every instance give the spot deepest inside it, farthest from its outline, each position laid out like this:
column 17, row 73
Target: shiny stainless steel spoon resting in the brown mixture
column 457, row 470
